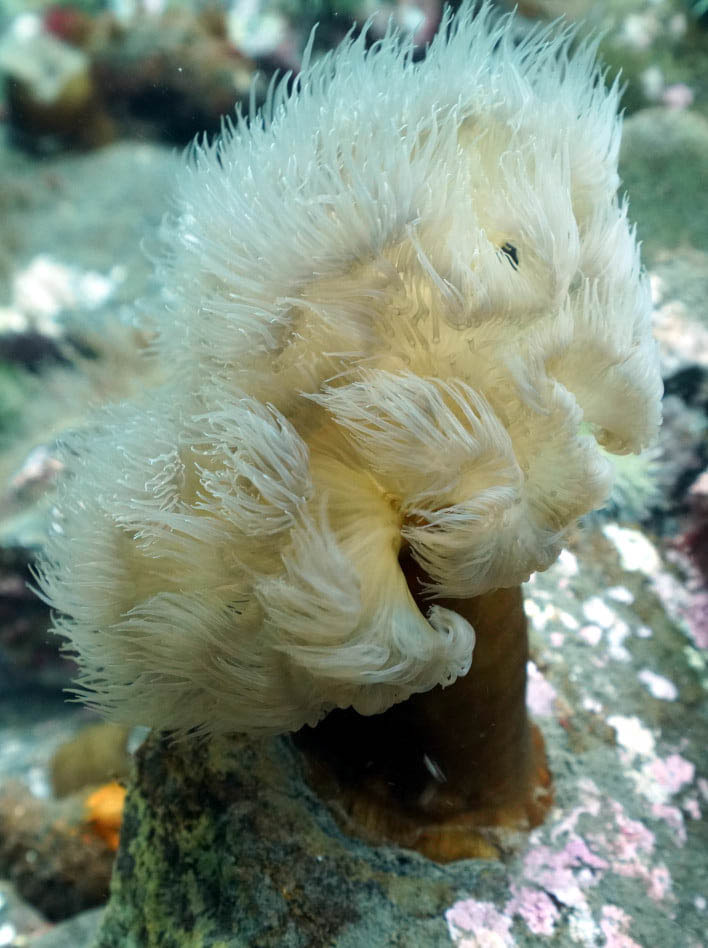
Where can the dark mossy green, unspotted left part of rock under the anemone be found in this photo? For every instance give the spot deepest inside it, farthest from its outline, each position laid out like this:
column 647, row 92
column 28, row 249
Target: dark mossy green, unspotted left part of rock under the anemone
column 225, row 845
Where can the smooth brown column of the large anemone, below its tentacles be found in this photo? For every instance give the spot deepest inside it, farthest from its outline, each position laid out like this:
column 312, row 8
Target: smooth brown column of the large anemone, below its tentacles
column 443, row 771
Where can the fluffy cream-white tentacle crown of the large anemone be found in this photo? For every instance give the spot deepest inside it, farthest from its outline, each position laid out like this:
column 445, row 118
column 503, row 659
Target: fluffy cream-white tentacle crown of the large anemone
column 405, row 311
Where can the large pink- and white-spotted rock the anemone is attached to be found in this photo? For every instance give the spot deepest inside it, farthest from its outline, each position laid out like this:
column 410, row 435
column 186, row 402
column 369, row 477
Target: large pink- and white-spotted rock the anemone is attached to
column 227, row 844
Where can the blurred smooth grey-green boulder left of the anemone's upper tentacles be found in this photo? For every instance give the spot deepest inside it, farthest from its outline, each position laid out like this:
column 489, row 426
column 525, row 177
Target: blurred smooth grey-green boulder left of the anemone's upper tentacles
column 67, row 203
